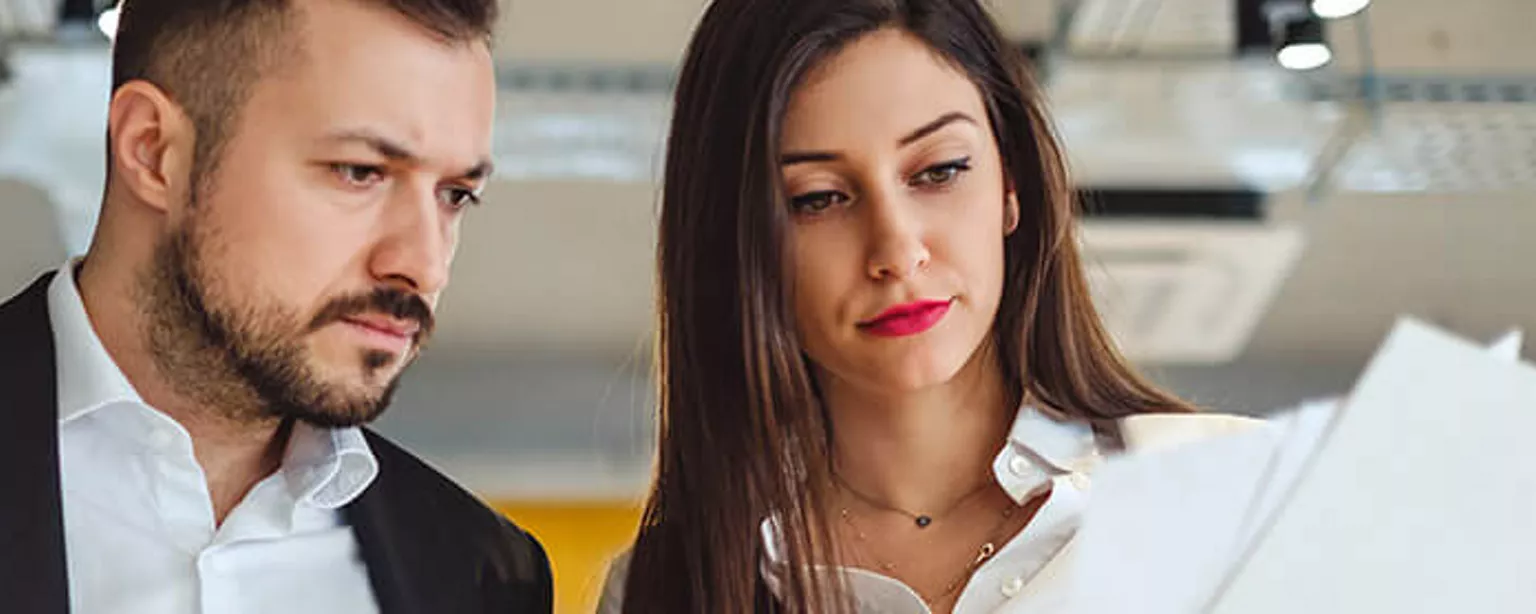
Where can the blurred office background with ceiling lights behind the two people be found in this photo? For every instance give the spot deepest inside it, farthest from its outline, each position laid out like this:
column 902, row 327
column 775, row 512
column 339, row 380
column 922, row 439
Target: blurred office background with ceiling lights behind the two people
column 1254, row 231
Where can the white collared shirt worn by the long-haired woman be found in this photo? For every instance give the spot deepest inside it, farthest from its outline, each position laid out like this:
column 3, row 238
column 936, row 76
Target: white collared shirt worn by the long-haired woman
column 1030, row 575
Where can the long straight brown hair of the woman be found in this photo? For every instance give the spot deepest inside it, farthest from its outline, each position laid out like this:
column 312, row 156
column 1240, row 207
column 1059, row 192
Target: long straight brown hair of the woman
column 743, row 434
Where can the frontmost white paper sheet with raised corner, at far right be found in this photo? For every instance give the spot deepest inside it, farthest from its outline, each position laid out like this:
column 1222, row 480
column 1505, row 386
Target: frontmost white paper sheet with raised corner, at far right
column 1423, row 498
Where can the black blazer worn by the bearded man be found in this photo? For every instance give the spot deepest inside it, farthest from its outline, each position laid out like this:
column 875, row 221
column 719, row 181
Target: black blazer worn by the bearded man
column 431, row 547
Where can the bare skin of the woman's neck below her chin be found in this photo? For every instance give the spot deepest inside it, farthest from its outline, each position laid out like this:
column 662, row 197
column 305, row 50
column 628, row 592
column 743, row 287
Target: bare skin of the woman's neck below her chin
column 921, row 451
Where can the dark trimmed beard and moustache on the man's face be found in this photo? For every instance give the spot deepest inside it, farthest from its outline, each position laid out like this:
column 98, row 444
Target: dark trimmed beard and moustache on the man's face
column 250, row 363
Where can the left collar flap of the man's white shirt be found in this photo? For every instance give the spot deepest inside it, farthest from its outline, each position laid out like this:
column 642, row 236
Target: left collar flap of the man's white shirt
column 88, row 378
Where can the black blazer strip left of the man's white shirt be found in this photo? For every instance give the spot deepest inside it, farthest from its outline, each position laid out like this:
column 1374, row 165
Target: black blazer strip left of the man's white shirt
column 33, row 572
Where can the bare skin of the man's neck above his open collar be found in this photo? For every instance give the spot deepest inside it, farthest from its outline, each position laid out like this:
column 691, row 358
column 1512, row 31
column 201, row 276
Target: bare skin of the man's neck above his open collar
column 234, row 455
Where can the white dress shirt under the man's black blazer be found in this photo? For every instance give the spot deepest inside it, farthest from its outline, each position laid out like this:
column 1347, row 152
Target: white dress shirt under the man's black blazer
column 139, row 520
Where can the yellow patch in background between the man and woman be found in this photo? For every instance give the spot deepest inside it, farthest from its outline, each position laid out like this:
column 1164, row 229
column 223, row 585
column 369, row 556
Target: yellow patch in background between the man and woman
column 581, row 538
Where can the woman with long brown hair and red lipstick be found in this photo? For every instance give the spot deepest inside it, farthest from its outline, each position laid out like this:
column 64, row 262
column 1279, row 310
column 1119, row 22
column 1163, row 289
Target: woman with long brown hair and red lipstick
column 882, row 377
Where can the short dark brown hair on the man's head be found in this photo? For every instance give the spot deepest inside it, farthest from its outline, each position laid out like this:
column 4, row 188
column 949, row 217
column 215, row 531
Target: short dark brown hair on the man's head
column 207, row 54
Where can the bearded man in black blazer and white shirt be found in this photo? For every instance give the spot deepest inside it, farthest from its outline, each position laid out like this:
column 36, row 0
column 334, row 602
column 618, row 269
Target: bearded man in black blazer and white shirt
column 185, row 404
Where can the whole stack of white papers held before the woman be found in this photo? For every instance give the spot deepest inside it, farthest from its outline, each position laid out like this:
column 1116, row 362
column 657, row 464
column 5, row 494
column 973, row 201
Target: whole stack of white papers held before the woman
column 1414, row 495
